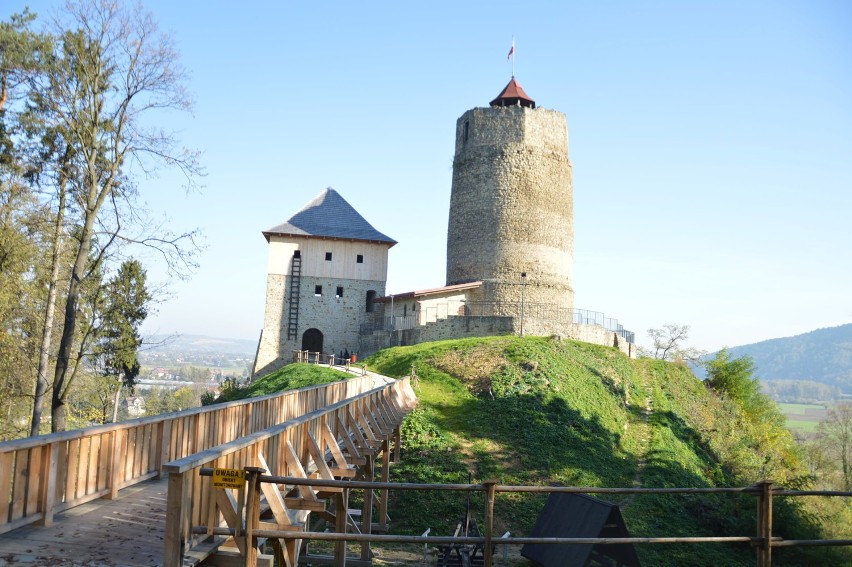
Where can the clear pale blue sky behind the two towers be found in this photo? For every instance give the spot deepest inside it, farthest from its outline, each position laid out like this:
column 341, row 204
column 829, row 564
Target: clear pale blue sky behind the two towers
column 711, row 144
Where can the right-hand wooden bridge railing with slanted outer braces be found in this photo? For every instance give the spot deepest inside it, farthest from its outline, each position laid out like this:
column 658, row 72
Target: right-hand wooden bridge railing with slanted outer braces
column 350, row 431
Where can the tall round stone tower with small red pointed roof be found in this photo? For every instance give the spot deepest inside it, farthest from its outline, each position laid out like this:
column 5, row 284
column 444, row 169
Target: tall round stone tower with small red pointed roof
column 511, row 208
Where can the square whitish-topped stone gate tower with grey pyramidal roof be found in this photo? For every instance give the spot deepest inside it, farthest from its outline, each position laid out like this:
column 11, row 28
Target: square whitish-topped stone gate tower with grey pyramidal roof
column 326, row 265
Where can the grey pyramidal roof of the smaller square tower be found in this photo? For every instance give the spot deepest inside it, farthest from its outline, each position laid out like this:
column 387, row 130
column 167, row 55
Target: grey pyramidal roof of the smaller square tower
column 328, row 215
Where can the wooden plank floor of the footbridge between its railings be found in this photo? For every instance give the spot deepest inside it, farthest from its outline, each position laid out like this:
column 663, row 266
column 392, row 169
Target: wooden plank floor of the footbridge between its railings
column 125, row 532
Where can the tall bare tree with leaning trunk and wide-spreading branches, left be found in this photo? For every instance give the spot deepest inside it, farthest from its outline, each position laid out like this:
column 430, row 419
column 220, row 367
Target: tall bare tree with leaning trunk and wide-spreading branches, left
column 111, row 71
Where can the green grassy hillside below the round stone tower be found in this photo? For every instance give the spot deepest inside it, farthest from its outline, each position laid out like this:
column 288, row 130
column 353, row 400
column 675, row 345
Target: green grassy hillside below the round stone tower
column 542, row 411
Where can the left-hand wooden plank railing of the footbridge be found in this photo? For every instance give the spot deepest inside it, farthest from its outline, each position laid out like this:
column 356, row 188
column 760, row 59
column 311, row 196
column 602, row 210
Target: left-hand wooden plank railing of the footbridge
column 44, row 475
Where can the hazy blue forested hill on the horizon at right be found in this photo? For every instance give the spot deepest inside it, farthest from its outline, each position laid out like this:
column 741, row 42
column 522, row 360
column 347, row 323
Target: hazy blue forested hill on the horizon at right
column 823, row 356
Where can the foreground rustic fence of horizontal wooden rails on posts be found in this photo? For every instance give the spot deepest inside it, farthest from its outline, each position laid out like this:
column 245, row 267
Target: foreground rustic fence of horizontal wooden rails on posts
column 763, row 540
